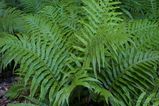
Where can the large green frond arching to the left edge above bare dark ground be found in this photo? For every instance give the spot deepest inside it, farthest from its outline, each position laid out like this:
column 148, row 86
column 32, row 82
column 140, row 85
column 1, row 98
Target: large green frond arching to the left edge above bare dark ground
column 47, row 67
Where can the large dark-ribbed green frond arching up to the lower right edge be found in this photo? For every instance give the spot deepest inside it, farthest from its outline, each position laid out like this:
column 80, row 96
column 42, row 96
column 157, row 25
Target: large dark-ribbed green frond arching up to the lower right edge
column 133, row 70
